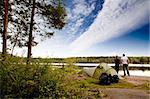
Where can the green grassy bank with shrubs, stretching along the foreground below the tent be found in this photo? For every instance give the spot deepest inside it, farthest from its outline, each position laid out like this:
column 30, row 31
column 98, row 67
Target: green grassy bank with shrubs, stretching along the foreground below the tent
column 44, row 81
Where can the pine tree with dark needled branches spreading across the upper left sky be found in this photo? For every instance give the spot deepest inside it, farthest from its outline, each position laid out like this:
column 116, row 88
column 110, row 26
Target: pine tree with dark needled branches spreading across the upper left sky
column 51, row 13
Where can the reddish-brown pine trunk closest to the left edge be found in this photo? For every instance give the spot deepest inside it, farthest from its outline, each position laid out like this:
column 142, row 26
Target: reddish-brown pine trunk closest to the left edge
column 4, row 48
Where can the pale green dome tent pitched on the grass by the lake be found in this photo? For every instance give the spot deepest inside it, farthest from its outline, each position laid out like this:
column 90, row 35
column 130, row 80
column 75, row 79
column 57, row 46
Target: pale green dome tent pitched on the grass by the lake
column 95, row 72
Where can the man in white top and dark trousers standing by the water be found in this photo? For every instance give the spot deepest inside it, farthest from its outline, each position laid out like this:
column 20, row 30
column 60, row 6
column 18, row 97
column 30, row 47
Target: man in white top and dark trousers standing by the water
column 125, row 62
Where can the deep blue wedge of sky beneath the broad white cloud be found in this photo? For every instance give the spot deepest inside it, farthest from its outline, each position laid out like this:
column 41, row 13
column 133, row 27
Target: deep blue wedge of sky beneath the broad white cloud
column 134, row 43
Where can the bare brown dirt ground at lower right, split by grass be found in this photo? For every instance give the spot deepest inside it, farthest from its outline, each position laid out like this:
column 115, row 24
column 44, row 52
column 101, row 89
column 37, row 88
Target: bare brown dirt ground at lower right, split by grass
column 119, row 93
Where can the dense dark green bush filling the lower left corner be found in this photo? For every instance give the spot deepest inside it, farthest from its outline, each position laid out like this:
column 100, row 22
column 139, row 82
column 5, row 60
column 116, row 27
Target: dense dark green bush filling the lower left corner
column 18, row 80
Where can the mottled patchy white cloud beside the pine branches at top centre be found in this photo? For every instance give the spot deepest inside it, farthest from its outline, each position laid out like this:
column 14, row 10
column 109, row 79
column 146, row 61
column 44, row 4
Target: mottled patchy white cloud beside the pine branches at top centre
column 76, row 16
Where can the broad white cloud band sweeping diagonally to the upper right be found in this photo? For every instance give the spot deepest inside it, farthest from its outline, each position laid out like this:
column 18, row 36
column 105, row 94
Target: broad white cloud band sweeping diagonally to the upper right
column 116, row 18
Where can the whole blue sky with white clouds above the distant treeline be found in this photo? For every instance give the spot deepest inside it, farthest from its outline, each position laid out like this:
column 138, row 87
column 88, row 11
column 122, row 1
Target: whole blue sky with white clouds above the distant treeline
column 99, row 28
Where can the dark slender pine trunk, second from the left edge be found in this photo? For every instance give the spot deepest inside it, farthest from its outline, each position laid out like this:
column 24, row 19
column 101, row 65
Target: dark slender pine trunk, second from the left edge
column 30, row 34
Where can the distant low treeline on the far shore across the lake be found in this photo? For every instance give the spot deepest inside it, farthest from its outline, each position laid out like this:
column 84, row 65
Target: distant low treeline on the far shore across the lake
column 132, row 60
